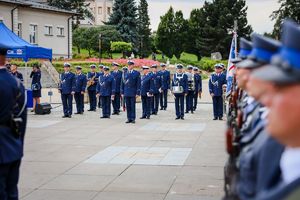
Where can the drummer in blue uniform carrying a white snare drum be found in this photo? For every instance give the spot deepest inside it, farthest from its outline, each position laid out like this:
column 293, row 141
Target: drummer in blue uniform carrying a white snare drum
column 180, row 90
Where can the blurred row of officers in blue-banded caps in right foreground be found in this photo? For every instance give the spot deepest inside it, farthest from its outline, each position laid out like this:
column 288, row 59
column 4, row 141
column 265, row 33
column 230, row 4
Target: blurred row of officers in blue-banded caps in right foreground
column 263, row 136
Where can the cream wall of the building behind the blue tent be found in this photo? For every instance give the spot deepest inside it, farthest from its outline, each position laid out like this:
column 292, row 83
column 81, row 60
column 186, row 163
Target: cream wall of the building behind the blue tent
column 41, row 18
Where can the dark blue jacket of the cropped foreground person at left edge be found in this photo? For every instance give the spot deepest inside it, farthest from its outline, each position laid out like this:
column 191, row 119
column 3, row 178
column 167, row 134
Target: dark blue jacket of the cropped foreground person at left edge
column 11, row 147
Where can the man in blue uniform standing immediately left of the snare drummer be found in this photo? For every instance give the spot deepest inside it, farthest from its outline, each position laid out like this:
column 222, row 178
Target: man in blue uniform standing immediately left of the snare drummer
column 165, row 86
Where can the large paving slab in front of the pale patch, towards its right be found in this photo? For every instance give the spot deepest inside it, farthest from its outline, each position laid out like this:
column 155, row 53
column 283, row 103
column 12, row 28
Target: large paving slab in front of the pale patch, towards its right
column 146, row 179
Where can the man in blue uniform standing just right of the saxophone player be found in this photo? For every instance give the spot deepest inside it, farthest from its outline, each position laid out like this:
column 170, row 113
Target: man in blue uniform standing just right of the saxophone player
column 106, row 91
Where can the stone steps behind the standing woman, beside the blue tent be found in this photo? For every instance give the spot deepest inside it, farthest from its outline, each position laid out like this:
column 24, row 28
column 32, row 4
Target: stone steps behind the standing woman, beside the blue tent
column 50, row 76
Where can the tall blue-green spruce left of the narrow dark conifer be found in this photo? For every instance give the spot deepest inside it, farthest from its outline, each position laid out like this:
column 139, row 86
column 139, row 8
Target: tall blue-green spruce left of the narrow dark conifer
column 124, row 17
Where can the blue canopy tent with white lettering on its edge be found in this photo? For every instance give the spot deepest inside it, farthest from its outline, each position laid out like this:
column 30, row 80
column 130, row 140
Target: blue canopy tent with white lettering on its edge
column 19, row 48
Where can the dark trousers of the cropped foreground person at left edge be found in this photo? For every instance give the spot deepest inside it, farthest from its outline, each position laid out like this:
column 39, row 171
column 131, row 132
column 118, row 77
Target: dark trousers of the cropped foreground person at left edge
column 9, row 177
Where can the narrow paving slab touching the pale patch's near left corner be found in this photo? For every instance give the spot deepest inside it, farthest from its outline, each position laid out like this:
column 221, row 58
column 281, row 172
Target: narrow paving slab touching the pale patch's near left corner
column 97, row 169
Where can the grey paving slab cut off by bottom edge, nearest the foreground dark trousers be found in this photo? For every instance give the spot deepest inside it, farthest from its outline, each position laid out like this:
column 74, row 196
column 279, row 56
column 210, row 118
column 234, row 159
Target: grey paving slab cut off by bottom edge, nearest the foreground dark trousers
column 60, row 195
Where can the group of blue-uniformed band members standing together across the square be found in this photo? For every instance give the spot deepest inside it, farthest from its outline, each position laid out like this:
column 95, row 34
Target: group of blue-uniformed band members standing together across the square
column 119, row 89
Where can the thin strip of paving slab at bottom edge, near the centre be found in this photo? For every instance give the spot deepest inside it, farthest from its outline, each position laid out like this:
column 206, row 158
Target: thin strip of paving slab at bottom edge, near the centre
column 128, row 196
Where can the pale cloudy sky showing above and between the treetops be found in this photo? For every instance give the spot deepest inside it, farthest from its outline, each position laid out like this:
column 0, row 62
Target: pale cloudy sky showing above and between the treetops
column 258, row 11
